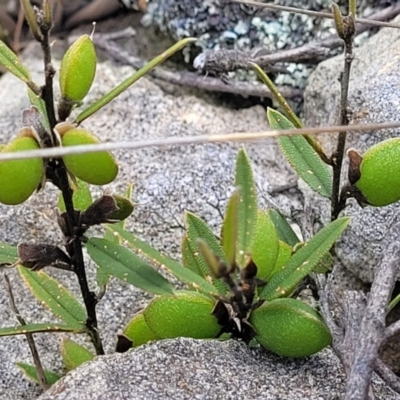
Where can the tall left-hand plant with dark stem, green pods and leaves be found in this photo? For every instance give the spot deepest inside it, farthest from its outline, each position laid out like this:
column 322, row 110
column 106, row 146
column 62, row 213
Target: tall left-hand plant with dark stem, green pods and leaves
column 46, row 123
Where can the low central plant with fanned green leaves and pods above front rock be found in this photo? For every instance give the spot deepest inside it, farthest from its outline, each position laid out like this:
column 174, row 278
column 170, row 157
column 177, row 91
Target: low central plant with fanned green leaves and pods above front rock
column 239, row 292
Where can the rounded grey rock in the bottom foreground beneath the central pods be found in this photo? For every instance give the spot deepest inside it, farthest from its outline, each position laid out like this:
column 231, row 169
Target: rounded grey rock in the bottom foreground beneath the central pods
column 185, row 369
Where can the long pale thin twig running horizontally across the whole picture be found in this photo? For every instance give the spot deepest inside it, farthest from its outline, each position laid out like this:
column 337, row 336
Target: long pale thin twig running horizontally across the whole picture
column 242, row 137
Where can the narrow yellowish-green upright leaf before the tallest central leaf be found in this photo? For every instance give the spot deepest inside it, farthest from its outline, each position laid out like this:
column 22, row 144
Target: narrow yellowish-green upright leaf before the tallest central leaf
column 230, row 228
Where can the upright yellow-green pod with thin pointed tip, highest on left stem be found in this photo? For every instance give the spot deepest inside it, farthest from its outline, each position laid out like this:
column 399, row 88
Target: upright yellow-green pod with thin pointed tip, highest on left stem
column 78, row 68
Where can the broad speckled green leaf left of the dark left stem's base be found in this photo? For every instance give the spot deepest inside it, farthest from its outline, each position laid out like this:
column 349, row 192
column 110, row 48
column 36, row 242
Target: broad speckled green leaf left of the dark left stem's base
column 54, row 296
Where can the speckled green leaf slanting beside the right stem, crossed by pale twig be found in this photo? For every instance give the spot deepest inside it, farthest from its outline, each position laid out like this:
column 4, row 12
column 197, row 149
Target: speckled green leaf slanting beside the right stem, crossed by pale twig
column 303, row 158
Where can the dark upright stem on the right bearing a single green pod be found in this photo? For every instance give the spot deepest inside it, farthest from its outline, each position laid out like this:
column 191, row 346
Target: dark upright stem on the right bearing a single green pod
column 337, row 157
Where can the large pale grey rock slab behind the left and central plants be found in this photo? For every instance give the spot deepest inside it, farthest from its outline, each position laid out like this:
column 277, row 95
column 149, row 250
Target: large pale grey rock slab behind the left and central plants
column 166, row 182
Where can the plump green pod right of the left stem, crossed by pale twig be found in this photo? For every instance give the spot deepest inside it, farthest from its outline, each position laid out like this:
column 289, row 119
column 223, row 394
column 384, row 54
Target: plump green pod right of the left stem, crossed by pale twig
column 95, row 168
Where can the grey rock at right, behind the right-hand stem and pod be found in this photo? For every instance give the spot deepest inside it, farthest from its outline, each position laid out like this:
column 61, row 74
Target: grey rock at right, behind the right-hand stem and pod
column 374, row 97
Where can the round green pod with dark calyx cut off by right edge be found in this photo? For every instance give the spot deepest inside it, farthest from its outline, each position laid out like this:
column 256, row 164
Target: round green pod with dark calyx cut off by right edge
column 378, row 173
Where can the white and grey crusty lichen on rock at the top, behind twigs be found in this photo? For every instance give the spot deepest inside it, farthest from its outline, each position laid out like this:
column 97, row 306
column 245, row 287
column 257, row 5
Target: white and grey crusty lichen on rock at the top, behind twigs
column 222, row 25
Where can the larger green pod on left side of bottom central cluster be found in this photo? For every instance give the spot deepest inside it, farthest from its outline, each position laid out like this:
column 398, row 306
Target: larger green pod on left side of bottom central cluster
column 185, row 314
